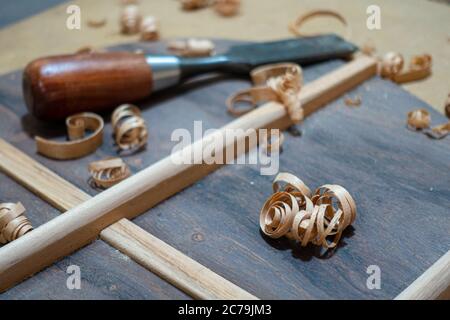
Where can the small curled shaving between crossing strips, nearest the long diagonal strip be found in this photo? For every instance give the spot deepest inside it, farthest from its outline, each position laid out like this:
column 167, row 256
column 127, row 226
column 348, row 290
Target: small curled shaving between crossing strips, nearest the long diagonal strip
column 108, row 172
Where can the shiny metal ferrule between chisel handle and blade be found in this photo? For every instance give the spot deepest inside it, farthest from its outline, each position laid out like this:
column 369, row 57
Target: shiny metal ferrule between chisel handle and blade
column 165, row 70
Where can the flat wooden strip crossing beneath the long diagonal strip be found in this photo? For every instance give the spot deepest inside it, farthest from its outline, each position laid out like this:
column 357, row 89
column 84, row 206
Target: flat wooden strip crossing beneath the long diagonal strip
column 170, row 264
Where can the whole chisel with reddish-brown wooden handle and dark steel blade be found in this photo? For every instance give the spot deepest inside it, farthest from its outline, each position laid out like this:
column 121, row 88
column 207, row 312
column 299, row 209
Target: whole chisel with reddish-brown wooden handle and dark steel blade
column 59, row 86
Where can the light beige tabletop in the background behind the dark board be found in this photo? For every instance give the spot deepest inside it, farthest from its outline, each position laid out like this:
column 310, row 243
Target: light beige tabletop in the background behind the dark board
column 410, row 27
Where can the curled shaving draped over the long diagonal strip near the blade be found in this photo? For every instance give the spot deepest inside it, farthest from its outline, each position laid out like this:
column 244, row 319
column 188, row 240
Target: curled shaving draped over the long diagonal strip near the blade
column 278, row 82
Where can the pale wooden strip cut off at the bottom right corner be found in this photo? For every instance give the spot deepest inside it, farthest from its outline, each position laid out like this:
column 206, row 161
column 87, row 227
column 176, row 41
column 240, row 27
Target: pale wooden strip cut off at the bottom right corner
column 434, row 283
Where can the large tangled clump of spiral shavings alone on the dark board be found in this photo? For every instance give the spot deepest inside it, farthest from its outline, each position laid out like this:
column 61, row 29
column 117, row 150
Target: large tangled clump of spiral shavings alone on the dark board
column 297, row 213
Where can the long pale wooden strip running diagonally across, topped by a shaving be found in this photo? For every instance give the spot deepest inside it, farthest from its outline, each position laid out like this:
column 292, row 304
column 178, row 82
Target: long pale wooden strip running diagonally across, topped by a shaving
column 69, row 232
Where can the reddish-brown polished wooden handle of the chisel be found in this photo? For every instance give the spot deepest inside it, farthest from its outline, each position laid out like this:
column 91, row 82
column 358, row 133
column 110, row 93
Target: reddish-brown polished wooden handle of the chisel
column 56, row 87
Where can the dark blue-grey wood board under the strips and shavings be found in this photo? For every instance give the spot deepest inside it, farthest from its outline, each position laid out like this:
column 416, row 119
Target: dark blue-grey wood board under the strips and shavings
column 398, row 178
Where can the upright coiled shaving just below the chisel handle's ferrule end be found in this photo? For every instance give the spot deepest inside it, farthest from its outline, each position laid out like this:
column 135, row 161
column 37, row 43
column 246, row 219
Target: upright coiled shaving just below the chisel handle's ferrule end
column 130, row 130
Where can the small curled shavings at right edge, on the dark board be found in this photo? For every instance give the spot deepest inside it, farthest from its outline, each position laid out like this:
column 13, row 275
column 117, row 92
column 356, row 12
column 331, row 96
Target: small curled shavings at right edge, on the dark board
column 420, row 120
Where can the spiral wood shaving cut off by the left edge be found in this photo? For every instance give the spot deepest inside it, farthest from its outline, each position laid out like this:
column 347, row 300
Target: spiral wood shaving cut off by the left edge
column 13, row 222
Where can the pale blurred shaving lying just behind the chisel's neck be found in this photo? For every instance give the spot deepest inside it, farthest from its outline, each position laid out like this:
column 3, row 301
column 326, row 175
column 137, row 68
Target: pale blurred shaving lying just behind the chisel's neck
column 191, row 47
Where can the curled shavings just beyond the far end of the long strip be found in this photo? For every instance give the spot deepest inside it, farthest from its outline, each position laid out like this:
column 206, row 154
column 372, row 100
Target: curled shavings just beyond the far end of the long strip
column 391, row 67
